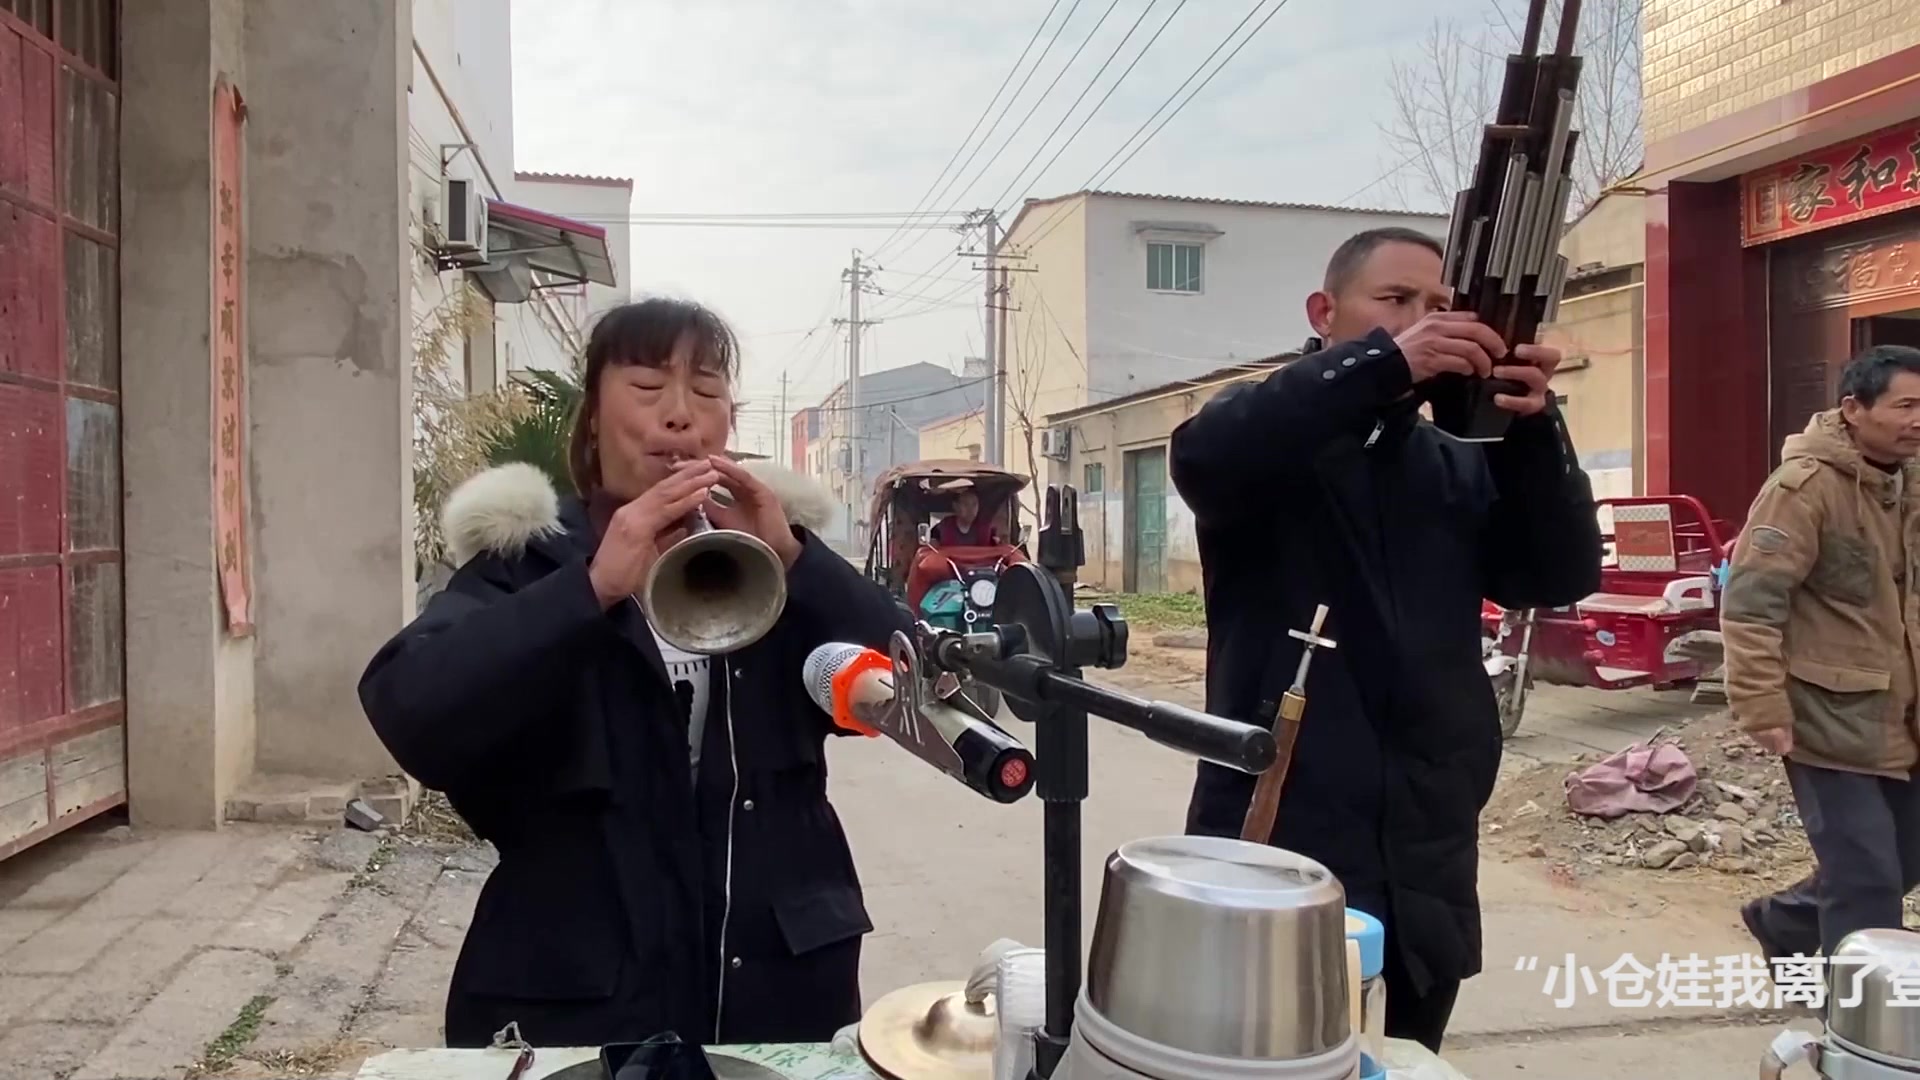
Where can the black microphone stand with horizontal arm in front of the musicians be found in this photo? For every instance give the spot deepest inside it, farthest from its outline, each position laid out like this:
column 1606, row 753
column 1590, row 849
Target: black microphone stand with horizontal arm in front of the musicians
column 1036, row 658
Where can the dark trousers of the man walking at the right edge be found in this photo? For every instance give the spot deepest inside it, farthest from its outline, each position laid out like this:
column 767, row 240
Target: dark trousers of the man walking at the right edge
column 1865, row 835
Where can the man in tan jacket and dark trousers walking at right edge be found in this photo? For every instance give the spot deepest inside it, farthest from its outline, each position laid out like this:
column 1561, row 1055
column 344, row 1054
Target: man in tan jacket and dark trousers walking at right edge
column 1819, row 622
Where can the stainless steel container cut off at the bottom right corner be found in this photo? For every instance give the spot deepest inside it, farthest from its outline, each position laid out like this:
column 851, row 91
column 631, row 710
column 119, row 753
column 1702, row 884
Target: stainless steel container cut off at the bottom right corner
column 1865, row 1006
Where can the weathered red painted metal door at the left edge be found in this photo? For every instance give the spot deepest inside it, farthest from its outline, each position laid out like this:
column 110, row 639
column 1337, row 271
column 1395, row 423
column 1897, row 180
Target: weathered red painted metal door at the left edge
column 62, row 645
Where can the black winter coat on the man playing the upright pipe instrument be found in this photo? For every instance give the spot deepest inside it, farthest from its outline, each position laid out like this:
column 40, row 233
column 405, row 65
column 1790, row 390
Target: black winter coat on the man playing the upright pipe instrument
column 1324, row 485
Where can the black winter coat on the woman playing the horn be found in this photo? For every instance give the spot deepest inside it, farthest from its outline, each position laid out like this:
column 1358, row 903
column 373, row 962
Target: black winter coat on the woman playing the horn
column 631, row 898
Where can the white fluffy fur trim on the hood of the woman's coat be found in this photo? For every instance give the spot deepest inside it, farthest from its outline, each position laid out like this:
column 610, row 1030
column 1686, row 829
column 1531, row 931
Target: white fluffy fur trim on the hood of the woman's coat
column 508, row 506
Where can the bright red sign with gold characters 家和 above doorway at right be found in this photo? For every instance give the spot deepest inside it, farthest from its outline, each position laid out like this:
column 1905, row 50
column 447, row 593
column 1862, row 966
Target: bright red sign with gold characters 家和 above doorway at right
column 1842, row 184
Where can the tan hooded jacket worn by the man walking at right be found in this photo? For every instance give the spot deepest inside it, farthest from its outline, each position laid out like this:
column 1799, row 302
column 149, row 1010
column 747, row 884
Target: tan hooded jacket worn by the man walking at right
column 1819, row 618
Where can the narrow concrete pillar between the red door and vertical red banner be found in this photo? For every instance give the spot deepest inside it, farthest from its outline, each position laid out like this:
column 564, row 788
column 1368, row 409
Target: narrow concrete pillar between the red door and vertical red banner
column 189, row 685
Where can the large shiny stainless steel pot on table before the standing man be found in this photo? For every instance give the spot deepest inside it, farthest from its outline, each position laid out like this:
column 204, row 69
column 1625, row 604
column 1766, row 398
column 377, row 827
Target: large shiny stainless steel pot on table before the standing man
column 1222, row 948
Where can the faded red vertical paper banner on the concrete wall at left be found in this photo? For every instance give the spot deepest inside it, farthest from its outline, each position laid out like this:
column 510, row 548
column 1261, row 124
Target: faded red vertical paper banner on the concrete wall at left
column 229, row 364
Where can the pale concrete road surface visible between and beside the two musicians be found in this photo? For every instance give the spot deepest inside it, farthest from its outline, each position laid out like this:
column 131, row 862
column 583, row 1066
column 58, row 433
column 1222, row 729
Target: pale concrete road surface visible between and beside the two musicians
column 936, row 914
